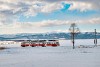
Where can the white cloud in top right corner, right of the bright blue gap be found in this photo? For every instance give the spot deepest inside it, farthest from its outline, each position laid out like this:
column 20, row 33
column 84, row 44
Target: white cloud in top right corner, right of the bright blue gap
column 77, row 4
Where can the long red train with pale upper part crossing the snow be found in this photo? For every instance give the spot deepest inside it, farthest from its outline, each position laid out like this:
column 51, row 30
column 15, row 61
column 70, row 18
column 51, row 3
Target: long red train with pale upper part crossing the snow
column 43, row 43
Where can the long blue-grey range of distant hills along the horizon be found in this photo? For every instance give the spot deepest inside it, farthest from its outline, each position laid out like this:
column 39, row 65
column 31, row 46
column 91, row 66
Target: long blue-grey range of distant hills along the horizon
column 60, row 35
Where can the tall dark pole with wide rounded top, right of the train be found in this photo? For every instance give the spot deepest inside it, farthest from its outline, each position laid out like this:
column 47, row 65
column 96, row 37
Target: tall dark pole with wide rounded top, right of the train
column 73, row 31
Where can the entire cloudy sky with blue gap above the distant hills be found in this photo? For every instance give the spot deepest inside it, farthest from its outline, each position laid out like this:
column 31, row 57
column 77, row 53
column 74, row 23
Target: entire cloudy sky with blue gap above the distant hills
column 40, row 16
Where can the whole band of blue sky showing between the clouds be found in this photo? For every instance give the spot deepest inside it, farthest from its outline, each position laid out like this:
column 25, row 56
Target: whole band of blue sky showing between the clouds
column 62, row 14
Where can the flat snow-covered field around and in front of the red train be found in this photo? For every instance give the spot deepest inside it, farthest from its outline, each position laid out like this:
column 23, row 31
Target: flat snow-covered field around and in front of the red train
column 62, row 56
